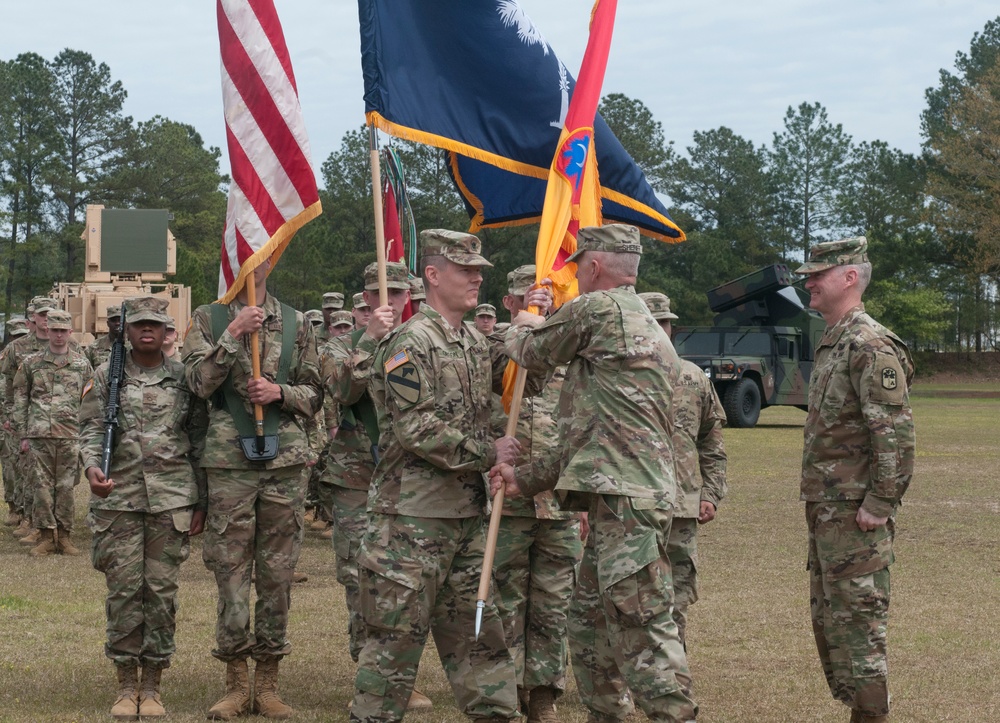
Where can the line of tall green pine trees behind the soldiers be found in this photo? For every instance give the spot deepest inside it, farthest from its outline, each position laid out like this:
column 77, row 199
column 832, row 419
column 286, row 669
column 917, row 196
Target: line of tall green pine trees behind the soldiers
column 932, row 220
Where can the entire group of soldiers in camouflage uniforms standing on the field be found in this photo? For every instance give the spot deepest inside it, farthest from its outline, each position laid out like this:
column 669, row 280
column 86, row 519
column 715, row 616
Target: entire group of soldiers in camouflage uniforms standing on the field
column 392, row 433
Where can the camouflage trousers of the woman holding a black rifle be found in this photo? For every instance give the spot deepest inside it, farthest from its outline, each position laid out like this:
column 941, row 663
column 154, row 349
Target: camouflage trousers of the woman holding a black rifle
column 140, row 554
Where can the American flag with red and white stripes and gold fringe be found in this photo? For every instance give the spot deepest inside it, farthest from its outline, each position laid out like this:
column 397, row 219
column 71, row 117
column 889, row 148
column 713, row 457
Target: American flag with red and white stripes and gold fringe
column 273, row 190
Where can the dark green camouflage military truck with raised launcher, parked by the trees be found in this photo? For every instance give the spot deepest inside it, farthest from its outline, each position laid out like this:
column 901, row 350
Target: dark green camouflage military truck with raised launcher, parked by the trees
column 759, row 352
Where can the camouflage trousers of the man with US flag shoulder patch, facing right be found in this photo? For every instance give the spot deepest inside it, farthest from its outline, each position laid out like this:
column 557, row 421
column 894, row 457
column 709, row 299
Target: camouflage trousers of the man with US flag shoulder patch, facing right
column 421, row 575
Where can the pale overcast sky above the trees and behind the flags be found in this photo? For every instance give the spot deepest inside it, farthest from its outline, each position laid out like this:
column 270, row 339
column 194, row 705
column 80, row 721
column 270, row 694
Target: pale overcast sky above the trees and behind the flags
column 697, row 65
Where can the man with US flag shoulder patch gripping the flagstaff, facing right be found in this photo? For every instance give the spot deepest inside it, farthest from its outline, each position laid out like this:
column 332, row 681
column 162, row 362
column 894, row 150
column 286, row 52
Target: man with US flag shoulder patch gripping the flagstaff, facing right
column 431, row 380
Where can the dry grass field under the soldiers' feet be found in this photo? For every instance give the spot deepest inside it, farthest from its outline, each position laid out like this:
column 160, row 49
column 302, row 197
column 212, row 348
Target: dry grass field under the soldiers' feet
column 752, row 654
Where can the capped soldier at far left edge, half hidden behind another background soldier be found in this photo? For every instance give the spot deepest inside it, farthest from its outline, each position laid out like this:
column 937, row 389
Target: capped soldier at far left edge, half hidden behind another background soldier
column 14, row 353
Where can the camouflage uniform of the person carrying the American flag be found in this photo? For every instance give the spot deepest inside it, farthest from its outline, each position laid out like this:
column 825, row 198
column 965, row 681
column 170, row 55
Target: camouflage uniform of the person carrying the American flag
column 255, row 509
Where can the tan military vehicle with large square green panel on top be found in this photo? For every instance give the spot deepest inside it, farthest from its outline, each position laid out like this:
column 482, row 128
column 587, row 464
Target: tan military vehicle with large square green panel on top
column 129, row 252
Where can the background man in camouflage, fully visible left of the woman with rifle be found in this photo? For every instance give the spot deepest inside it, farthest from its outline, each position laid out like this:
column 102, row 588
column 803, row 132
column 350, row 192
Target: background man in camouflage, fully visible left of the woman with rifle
column 47, row 391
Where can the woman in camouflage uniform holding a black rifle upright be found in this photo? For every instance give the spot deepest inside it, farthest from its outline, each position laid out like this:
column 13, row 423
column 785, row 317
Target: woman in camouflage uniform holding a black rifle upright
column 143, row 513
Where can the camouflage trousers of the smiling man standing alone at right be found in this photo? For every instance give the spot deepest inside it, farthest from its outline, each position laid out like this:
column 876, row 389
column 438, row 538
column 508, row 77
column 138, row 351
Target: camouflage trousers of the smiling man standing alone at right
column 849, row 602
